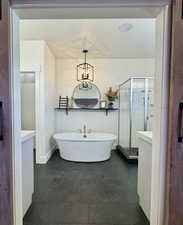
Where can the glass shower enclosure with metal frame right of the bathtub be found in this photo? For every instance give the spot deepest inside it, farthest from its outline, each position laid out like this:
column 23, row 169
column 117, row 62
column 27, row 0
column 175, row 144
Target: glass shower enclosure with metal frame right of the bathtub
column 135, row 113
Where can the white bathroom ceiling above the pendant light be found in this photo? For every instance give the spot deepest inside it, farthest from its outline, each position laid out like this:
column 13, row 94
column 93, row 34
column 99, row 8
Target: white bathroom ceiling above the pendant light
column 104, row 38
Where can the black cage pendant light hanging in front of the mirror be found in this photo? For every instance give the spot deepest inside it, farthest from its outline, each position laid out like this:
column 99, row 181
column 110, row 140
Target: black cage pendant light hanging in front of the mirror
column 85, row 71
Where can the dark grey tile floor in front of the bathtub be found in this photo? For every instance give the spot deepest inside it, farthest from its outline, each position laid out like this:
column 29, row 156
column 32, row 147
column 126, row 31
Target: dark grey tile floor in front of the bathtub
column 68, row 193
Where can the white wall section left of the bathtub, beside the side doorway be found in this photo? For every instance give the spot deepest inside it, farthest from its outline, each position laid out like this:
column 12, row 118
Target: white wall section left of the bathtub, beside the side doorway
column 35, row 56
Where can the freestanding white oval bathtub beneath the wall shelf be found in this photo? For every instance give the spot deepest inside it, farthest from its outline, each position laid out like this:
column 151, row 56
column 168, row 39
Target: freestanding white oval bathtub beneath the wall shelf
column 95, row 147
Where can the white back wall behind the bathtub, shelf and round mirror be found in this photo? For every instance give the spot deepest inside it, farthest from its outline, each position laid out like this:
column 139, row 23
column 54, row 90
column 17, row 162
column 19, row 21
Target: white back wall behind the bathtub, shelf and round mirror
column 108, row 72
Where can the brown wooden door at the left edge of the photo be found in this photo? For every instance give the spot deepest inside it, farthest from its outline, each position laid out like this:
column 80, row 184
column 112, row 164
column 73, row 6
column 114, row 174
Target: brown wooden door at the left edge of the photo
column 6, row 179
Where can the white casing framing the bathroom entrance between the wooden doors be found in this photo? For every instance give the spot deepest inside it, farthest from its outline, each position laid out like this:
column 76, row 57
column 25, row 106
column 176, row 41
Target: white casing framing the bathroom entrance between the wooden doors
column 161, row 81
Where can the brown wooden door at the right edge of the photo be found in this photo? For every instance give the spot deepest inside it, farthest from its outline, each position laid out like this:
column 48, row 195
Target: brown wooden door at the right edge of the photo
column 174, row 184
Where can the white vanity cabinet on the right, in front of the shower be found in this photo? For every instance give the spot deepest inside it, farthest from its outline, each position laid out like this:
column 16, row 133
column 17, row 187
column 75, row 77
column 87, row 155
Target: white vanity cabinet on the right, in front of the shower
column 144, row 171
